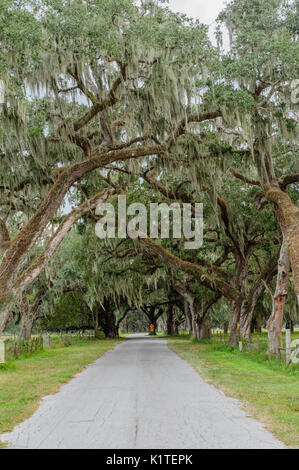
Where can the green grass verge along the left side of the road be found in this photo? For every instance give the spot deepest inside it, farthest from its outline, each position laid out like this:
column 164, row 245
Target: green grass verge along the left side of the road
column 25, row 381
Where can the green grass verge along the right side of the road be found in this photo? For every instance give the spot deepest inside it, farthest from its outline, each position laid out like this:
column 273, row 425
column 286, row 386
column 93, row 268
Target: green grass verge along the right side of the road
column 269, row 390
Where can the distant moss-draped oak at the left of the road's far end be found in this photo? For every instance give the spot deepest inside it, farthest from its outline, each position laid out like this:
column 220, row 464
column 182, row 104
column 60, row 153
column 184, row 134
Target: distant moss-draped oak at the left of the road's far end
column 108, row 277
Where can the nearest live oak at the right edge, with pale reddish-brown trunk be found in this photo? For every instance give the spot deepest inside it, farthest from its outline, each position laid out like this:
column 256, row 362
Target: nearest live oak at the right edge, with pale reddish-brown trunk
column 263, row 63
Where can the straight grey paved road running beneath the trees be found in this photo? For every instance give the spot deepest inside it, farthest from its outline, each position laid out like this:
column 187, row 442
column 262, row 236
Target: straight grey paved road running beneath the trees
column 140, row 395
